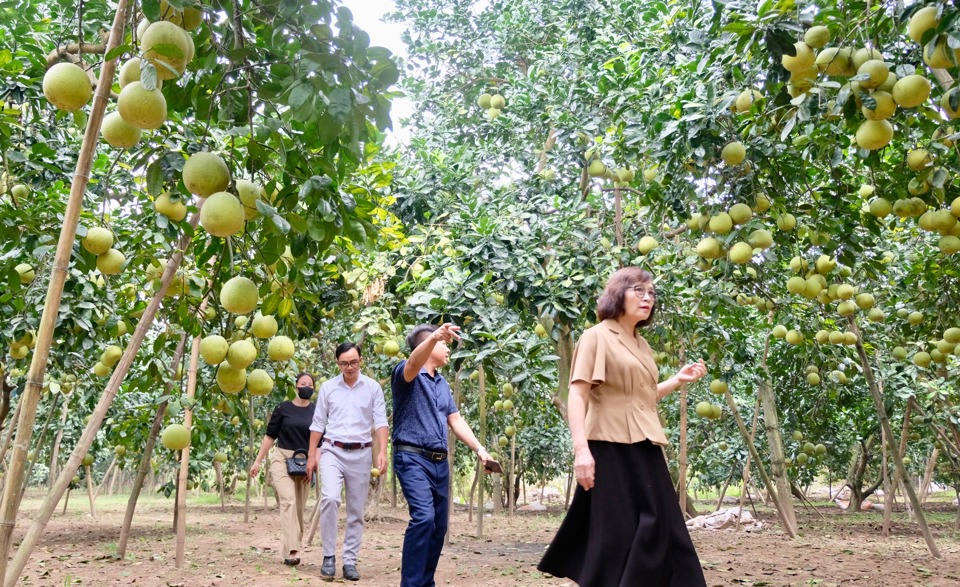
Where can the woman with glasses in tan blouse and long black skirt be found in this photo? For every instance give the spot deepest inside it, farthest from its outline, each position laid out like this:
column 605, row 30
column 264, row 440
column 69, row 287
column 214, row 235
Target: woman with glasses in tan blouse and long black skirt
column 624, row 527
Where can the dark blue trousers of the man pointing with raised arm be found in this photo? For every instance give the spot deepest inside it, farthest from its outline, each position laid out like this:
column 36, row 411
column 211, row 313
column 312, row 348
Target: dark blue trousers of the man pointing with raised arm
column 425, row 485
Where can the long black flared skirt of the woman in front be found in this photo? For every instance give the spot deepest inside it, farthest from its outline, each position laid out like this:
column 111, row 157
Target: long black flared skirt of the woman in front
column 628, row 531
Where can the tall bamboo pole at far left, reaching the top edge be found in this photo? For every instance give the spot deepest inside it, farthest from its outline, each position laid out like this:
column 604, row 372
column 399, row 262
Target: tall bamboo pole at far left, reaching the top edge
column 12, row 496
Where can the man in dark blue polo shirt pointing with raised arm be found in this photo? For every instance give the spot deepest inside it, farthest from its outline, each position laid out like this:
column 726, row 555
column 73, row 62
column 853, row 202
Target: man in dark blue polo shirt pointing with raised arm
column 422, row 409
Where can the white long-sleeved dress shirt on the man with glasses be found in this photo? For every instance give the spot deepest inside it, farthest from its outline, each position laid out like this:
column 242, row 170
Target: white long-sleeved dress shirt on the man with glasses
column 346, row 413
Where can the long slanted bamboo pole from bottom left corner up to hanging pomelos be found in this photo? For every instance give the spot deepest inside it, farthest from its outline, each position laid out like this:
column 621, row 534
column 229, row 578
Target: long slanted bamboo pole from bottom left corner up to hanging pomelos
column 96, row 418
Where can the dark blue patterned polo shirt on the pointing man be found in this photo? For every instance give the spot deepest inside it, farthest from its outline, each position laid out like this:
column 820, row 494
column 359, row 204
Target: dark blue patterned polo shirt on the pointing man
column 420, row 409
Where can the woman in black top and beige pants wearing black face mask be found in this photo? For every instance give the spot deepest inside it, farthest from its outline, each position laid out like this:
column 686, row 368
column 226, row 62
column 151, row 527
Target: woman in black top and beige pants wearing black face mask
column 289, row 429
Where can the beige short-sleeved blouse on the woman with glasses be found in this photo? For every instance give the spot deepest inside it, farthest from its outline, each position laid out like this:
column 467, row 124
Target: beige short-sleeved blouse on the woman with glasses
column 622, row 404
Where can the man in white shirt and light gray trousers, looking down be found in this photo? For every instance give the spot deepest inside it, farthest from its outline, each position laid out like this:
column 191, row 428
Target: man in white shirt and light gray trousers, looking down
column 349, row 406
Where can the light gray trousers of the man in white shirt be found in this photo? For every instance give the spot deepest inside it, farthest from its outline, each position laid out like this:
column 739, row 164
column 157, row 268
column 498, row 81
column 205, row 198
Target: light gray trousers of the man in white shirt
column 339, row 469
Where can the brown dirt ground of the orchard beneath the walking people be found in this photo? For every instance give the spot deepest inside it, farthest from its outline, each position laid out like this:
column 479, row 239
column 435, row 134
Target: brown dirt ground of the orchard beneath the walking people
column 836, row 549
